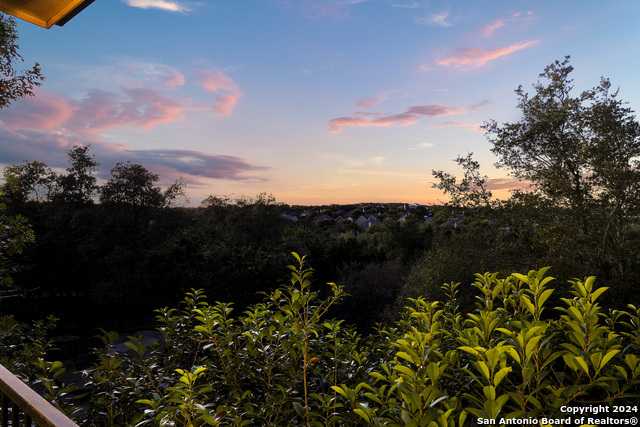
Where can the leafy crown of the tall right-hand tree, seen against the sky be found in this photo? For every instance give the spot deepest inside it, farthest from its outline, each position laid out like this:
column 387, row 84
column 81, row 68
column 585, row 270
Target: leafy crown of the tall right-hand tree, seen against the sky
column 573, row 149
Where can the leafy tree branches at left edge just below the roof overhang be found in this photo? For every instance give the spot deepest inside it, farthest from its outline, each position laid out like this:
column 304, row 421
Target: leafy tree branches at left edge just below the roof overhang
column 14, row 84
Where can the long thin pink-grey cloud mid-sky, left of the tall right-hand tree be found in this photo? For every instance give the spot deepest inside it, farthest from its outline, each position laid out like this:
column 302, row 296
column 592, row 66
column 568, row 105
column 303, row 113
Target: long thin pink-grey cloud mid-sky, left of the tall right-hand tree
column 409, row 117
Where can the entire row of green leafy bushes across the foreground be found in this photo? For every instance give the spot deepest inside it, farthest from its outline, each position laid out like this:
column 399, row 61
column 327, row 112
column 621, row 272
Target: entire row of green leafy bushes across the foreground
column 281, row 363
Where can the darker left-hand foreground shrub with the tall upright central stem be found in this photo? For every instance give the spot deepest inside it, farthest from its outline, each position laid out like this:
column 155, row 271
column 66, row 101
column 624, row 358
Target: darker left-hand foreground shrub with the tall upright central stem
column 273, row 365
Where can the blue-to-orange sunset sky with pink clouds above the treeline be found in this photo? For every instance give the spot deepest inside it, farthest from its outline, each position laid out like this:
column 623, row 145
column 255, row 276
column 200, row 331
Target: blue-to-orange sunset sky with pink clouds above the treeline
column 313, row 101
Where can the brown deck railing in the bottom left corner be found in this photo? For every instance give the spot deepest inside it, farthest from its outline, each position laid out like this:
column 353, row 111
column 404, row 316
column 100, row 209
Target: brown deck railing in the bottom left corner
column 28, row 408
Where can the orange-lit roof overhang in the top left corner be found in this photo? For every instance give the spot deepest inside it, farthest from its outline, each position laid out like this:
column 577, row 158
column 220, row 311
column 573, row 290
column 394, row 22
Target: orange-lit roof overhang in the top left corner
column 44, row 13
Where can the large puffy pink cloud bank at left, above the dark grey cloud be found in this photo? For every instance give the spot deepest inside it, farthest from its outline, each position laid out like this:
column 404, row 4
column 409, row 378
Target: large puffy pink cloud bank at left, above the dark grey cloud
column 133, row 106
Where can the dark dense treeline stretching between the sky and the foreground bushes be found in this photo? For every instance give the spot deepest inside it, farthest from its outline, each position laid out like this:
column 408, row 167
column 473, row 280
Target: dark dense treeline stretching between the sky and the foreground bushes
column 124, row 258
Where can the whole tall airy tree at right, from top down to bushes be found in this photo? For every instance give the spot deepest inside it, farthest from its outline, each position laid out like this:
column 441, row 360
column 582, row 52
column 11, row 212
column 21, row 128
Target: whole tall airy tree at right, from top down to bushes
column 581, row 153
